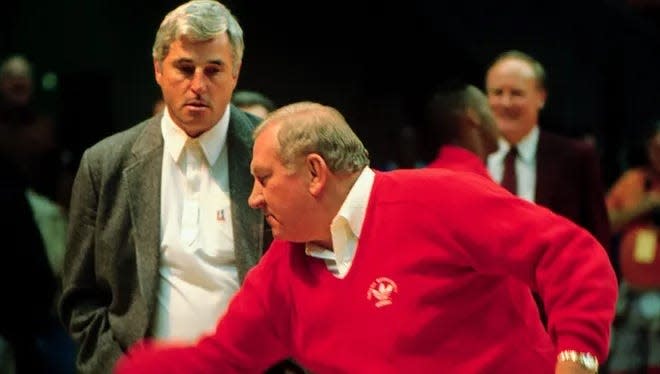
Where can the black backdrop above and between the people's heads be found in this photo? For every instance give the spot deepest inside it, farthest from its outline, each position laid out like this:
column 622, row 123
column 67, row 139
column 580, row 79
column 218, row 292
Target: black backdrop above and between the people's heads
column 376, row 63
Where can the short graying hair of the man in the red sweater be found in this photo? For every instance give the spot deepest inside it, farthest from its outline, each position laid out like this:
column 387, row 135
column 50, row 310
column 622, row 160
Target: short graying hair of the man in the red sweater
column 308, row 127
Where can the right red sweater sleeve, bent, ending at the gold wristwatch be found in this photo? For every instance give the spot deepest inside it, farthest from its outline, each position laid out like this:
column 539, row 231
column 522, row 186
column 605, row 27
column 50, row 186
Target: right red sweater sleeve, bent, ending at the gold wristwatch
column 503, row 235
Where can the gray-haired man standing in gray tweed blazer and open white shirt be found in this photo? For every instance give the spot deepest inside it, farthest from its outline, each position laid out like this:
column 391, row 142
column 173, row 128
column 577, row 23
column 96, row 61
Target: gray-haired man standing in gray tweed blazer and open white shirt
column 160, row 234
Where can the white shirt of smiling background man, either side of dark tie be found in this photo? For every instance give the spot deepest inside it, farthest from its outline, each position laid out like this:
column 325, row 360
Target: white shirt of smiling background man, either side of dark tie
column 525, row 164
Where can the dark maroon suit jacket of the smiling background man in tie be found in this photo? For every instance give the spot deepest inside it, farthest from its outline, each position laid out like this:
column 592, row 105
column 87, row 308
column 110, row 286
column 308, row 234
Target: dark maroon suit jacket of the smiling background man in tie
column 568, row 181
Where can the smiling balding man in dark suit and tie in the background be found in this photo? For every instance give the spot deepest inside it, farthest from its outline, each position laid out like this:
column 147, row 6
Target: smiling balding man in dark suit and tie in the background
column 559, row 173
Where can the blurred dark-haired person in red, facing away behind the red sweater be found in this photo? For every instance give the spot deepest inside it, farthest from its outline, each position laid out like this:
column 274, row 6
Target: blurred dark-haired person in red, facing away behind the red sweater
column 463, row 128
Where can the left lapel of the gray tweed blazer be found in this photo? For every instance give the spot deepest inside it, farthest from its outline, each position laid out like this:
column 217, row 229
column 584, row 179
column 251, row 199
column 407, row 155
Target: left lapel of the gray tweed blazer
column 143, row 178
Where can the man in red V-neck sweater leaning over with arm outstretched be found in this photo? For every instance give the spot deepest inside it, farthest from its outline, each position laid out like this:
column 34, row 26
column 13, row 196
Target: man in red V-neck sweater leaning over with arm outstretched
column 422, row 270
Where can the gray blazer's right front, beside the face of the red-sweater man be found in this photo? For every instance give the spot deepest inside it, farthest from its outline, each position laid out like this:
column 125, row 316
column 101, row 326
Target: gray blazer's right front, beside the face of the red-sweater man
column 247, row 223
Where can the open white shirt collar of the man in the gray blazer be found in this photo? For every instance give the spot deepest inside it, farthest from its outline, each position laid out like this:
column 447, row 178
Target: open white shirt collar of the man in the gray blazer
column 212, row 141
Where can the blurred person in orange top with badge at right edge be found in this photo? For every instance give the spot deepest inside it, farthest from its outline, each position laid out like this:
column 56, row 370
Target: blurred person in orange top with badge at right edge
column 633, row 203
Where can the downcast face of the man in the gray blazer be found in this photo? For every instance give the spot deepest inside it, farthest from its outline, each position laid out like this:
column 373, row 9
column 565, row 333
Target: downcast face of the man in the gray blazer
column 197, row 80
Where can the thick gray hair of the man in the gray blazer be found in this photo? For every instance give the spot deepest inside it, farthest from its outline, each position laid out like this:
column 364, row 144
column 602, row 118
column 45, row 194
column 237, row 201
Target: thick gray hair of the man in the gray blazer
column 199, row 20
